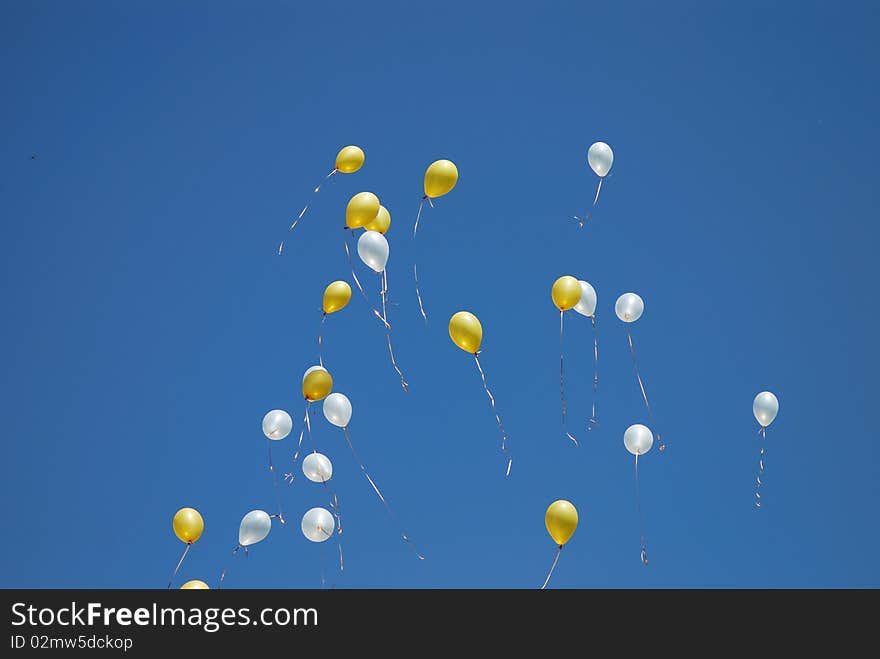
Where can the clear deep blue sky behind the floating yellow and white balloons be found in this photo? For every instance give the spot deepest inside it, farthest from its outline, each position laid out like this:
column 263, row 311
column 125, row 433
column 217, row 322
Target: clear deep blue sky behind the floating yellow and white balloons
column 148, row 324
